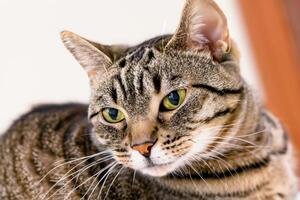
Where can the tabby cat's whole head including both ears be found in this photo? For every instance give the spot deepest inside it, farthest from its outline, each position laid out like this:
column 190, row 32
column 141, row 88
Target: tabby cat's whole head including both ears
column 164, row 103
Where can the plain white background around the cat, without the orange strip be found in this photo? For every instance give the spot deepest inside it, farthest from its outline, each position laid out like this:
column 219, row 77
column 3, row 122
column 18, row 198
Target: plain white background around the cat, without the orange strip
column 36, row 68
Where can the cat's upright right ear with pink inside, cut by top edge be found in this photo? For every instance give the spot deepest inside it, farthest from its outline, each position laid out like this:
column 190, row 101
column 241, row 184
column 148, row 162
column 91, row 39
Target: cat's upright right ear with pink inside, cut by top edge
column 202, row 24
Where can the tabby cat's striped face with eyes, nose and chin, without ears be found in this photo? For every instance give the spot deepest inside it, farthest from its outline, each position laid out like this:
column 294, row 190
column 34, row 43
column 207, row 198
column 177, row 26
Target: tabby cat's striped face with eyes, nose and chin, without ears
column 167, row 100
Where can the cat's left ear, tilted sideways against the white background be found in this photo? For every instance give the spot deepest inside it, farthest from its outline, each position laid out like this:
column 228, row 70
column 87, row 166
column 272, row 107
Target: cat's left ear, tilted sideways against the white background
column 93, row 57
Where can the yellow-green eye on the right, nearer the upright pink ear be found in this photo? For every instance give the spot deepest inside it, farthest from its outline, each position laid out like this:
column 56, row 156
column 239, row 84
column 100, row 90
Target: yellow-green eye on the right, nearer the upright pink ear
column 173, row 100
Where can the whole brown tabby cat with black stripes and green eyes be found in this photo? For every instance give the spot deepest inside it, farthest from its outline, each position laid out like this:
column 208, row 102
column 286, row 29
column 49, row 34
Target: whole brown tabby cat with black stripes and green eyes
column 170, row 118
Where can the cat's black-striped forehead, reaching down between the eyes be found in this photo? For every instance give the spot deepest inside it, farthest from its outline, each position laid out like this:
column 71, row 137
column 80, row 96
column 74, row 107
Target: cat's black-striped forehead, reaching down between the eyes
column 146, row 72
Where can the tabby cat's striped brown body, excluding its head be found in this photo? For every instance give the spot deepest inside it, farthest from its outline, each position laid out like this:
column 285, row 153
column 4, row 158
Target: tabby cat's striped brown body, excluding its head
column 55, row 133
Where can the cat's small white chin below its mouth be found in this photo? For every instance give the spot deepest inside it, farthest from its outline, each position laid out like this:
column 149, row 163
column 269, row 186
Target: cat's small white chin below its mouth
column 158, row 170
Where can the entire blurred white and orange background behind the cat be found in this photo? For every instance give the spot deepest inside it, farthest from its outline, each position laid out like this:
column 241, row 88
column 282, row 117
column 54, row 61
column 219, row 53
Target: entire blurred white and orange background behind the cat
column 35, row 67
